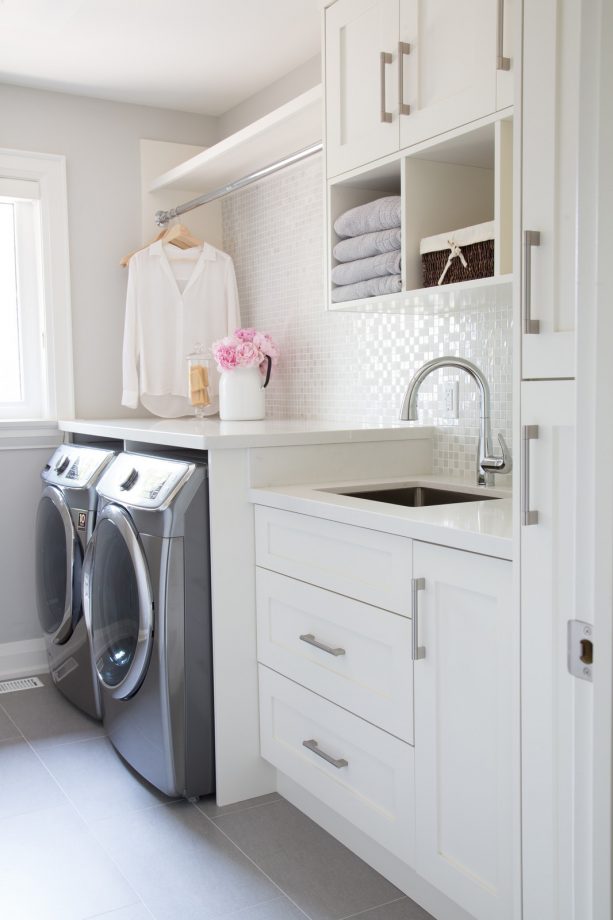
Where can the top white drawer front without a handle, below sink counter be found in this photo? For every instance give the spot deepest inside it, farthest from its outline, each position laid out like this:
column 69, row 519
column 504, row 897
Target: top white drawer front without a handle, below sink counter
column 366, row 564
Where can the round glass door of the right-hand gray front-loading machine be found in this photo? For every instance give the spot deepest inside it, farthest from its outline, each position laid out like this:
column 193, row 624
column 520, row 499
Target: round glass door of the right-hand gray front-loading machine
column 118, row 603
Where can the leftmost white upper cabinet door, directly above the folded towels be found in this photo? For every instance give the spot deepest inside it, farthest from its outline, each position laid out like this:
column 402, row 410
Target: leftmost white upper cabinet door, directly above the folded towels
column 361, row 39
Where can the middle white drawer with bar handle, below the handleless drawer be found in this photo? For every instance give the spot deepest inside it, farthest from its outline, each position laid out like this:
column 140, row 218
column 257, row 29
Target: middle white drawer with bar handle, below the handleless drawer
column 366, row 664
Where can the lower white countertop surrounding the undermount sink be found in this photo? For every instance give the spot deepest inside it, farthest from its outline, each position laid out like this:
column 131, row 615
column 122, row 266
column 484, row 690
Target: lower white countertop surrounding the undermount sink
column 483, row 527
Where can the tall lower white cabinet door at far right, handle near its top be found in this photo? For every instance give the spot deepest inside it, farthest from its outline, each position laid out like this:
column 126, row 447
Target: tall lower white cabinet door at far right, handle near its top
column 555, row 706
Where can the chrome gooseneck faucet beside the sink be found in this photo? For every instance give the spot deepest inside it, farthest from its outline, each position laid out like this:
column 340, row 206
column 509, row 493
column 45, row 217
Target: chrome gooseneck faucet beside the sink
column 487, row 462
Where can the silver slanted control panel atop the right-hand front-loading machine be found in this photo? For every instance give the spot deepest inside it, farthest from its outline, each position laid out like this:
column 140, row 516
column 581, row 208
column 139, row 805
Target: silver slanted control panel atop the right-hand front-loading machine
column 144, row 482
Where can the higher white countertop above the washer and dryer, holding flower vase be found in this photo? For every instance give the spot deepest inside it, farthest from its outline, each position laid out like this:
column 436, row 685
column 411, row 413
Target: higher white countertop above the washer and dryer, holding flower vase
column 213, row 434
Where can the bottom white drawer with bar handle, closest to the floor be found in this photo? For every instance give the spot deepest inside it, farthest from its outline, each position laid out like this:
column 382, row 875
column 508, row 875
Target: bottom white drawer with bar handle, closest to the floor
column 372, row 784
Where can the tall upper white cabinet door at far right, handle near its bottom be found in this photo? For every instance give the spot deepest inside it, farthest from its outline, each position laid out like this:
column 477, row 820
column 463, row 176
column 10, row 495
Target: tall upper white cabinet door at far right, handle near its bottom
column 549, row 188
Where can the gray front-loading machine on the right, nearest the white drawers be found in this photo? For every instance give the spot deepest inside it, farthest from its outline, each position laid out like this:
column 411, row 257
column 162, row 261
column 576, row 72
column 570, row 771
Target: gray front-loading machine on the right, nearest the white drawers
column 147, row 599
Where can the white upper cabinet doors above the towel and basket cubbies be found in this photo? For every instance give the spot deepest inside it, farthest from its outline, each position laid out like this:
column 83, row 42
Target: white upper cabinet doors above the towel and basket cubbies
column 399, row 72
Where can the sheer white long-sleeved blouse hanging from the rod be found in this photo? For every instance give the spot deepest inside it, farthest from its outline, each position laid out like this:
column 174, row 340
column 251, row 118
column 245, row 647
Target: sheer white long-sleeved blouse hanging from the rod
column 166, row 317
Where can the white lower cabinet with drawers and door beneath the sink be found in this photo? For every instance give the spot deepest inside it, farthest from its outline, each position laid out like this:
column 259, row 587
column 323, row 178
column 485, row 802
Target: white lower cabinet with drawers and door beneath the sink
column 404, row 725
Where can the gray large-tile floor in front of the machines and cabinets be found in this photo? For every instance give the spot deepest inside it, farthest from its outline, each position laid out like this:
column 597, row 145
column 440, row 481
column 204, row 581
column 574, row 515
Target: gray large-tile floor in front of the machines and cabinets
column 83, row 837
